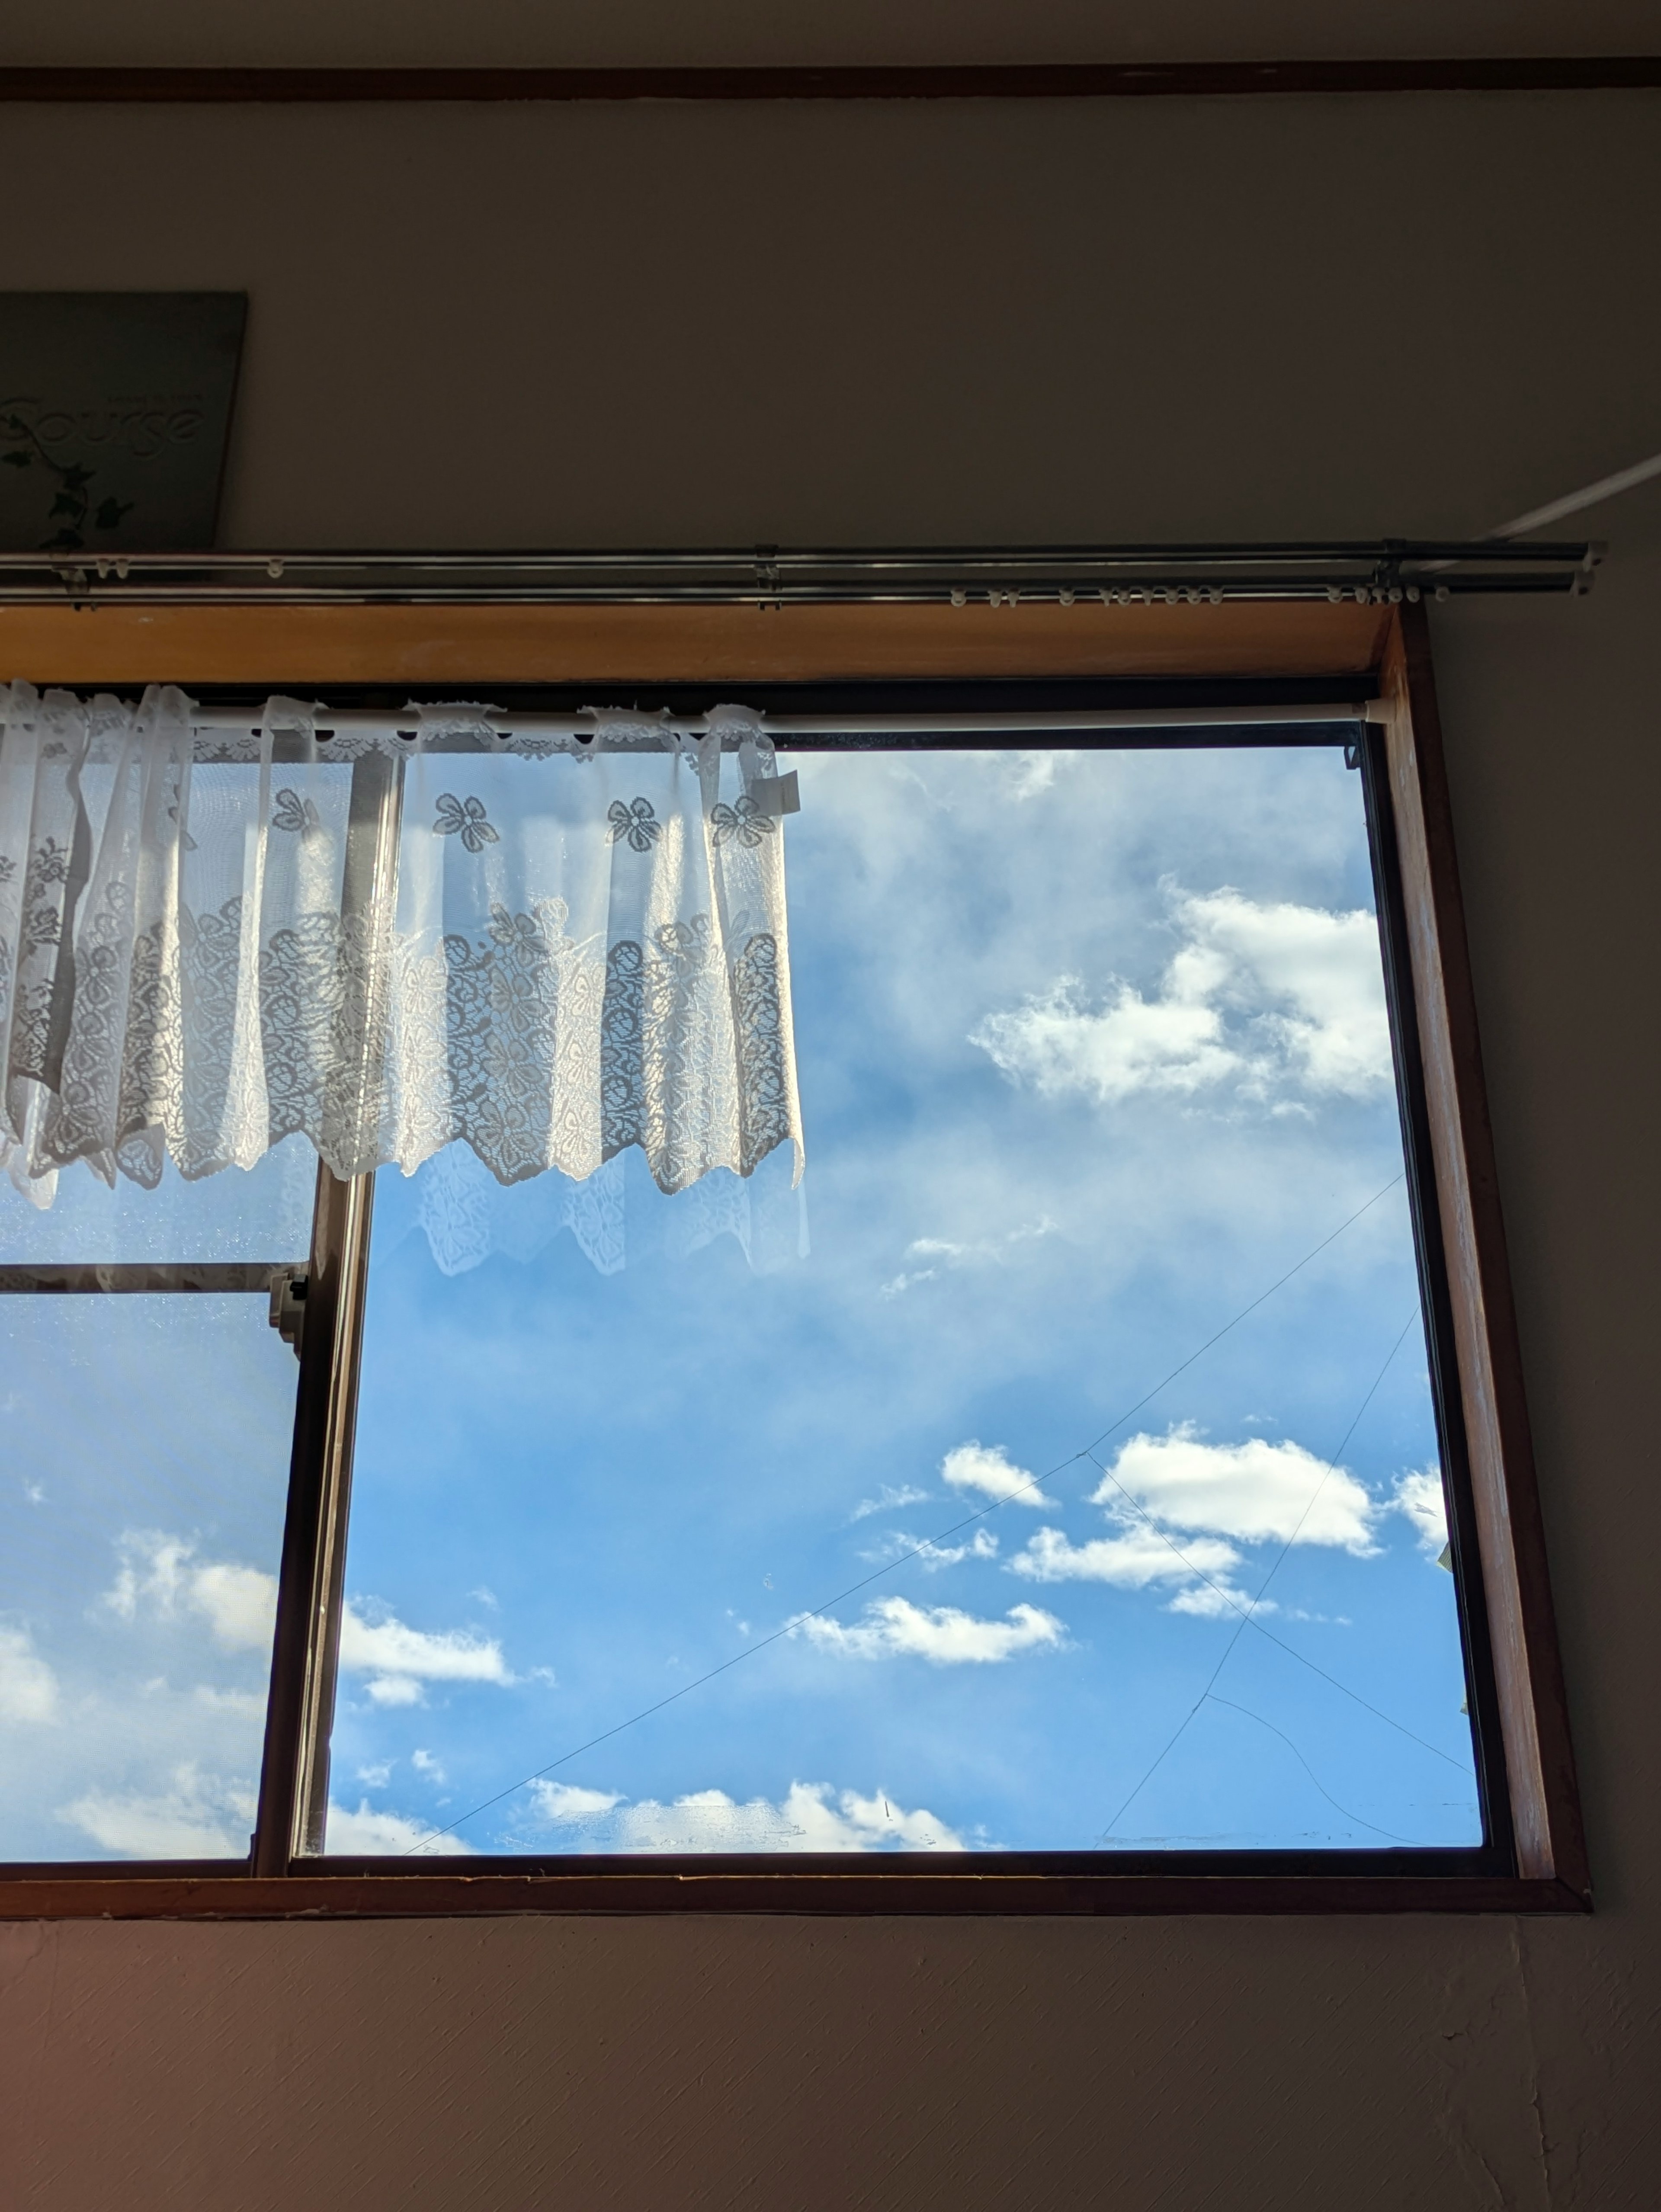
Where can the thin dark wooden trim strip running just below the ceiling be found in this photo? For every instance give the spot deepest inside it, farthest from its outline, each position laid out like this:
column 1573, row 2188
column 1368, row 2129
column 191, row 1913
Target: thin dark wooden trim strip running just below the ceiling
column 903, row 81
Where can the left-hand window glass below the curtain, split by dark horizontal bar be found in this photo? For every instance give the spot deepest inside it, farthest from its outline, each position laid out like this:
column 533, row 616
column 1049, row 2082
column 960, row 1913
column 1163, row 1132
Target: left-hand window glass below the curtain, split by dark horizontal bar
column 143, row 1494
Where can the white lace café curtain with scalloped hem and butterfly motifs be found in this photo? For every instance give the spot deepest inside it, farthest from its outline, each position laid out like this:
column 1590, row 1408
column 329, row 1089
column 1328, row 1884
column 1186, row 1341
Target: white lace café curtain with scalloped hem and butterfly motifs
column 545, row 950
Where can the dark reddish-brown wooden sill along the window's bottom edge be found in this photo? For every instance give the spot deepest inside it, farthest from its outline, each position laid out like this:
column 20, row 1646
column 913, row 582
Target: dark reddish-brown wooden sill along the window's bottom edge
column 689, row 1890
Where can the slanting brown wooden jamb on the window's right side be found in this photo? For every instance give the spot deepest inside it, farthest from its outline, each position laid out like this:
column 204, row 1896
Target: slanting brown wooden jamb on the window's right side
column 1534, row 1707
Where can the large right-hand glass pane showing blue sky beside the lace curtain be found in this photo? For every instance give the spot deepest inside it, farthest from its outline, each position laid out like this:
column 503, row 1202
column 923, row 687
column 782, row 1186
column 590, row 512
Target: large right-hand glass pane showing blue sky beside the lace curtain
column 1078, row 1492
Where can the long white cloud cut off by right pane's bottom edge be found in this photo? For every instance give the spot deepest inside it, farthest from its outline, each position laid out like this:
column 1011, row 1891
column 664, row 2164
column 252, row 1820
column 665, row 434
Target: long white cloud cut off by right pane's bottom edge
column 813, row 1817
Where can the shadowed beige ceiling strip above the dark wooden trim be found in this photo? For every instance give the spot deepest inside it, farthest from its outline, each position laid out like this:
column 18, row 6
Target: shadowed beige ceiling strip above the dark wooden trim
column 735, row 32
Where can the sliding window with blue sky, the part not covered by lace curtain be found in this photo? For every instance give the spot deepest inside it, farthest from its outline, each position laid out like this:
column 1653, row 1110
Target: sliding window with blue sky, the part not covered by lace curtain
column 1072, row 1488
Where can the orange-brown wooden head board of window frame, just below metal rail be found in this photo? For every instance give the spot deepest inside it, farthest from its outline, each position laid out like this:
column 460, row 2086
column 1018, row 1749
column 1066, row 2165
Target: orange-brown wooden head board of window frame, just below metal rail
column 295, row 645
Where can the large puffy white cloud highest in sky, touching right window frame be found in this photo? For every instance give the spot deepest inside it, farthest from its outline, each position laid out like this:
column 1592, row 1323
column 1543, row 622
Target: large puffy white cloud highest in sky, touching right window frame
column 1264, row 999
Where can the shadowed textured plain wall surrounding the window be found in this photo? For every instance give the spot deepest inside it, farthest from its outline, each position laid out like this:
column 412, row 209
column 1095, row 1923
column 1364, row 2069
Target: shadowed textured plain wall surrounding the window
column 1260, row 320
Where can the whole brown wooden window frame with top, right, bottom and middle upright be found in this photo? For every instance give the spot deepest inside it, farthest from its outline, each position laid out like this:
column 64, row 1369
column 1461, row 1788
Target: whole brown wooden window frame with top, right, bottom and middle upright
column 1231, row 654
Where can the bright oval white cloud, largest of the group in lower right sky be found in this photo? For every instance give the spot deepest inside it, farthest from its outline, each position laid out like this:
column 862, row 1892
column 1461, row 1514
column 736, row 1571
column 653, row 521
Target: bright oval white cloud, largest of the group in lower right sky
column 1255, row 1492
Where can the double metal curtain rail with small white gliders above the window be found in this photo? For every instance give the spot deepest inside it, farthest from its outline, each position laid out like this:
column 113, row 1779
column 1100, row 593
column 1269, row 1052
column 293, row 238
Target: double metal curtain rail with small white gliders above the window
column 1370, row 572
